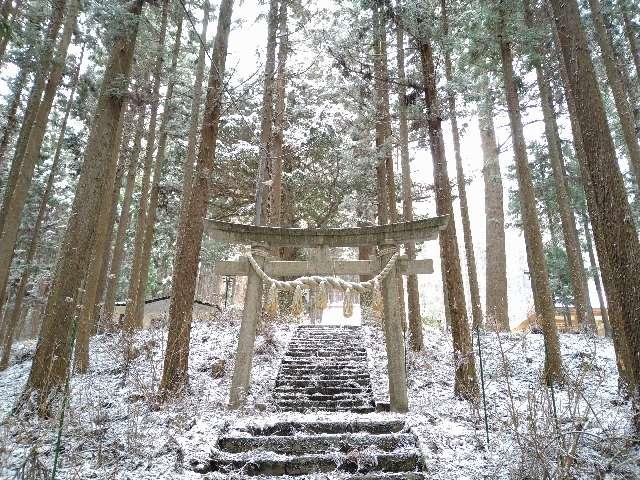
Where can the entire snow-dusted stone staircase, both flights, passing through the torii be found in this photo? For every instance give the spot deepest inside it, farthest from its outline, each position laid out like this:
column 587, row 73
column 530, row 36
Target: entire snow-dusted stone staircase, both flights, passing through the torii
column 325, row 369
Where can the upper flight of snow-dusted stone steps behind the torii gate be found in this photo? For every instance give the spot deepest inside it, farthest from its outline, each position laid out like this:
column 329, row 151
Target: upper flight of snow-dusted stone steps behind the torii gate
column 325, row 369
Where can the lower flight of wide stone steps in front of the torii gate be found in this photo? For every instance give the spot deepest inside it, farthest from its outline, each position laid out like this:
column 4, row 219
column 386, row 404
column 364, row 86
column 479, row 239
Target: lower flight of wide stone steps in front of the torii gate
column 358, row 449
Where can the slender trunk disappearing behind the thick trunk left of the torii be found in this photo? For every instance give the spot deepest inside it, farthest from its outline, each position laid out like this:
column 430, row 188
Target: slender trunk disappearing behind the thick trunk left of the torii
column 195, row 114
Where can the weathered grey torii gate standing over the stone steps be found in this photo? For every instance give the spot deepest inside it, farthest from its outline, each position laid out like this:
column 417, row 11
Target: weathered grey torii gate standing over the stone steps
column 262, row 241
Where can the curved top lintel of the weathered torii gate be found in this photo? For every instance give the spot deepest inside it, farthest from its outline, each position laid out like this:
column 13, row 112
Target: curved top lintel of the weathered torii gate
column 415, row 231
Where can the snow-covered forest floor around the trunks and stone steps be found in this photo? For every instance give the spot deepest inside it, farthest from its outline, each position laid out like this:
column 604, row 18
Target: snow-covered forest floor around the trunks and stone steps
column 115, row 428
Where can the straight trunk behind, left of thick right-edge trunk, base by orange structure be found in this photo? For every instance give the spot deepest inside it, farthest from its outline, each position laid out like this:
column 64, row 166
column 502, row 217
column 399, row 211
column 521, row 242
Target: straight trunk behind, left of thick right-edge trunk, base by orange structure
column 579, row 284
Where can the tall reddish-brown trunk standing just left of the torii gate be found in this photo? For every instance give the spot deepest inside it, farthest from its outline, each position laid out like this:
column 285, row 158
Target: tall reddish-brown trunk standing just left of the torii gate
column 176, row 359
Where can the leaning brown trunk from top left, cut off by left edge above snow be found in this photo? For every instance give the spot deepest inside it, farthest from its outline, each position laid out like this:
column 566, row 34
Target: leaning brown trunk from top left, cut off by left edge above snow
column 32, row 149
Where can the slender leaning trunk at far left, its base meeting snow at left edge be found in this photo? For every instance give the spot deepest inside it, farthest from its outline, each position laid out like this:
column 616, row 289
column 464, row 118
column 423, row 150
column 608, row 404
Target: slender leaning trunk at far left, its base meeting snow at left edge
column 16, row 312
